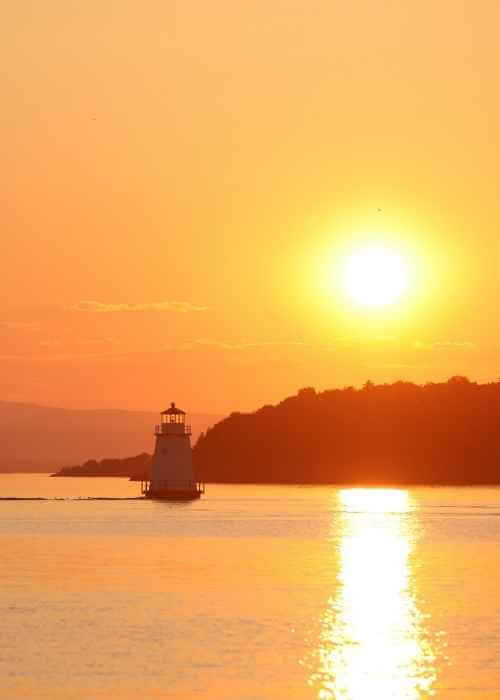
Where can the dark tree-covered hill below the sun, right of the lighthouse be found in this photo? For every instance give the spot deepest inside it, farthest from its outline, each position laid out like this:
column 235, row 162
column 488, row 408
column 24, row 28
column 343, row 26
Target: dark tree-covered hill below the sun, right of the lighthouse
column 400, row 433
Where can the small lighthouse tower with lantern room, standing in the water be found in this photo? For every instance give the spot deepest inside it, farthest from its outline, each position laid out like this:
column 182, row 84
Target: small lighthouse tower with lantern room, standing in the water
column 172, row 474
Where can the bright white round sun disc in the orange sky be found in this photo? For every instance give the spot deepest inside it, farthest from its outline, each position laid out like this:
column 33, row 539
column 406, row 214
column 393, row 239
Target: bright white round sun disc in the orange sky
column 375, row 276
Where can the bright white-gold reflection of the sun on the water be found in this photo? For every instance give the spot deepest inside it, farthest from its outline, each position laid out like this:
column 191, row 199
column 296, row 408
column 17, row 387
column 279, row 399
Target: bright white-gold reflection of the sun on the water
column 373, row 643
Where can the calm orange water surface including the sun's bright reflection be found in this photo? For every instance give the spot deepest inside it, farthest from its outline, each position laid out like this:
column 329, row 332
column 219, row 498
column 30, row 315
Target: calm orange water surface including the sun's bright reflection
column 253, row 592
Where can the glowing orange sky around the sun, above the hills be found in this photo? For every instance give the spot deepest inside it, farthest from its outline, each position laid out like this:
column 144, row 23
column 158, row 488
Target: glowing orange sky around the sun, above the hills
column 215, row 155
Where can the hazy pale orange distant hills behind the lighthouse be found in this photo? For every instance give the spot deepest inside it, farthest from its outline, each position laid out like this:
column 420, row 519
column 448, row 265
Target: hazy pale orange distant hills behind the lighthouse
column 40, row 438
